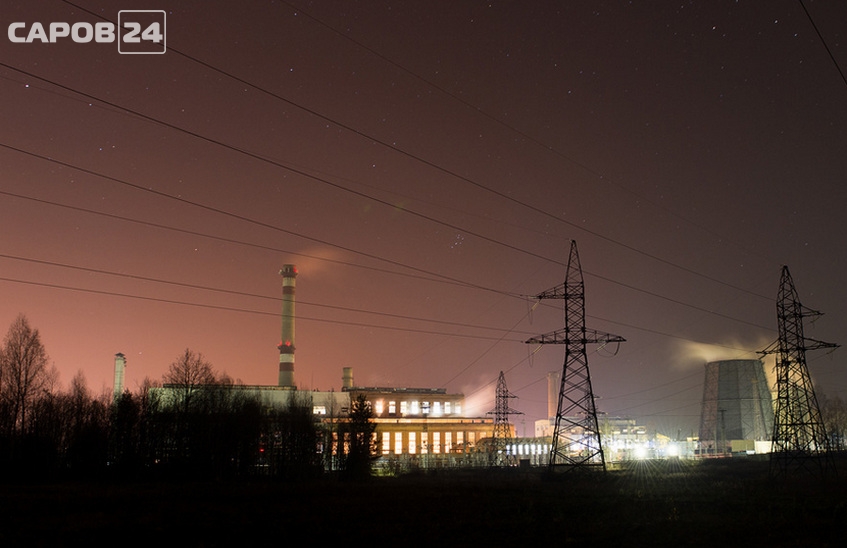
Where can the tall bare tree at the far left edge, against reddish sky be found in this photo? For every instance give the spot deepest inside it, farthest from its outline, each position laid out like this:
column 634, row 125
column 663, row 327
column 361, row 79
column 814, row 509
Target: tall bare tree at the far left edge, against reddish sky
column 24, row 372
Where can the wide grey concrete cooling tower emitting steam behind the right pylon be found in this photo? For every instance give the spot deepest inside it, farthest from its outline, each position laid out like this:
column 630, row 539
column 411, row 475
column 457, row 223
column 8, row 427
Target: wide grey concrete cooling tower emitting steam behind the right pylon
column 737, row 405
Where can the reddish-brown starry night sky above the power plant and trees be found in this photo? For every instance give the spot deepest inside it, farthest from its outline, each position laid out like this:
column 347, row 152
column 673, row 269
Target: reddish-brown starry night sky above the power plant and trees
column 426, row 165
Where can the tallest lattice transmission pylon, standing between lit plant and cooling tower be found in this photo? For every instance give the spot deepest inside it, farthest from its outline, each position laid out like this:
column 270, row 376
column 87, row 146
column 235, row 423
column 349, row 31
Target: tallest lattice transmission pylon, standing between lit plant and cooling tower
column 576, row 435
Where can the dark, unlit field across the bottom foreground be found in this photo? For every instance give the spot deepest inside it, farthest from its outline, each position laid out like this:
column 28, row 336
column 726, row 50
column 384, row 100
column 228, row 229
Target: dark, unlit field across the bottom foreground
column 729, row 502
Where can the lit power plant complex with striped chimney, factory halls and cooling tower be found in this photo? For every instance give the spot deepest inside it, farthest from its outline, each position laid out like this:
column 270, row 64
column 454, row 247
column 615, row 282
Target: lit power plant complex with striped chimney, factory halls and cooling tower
column 428, row 427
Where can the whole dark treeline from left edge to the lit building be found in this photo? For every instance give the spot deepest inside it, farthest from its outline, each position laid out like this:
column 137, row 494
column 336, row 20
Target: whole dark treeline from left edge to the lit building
column 193, row 425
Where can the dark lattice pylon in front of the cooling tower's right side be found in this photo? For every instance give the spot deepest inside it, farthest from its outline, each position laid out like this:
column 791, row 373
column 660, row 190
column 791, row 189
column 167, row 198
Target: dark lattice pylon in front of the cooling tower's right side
column 799, row 438
